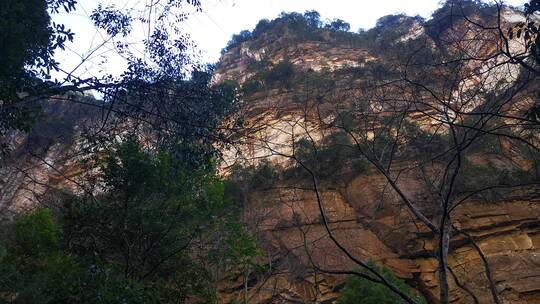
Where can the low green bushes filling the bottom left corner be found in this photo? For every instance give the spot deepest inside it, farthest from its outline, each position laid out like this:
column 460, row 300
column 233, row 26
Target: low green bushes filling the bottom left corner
column 36, row 268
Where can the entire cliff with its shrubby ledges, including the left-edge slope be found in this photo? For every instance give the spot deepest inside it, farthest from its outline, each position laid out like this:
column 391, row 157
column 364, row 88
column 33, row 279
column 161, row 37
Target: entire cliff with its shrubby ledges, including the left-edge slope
column 298, row 85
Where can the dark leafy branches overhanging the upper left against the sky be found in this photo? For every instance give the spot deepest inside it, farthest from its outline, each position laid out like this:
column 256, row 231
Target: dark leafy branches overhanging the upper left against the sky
column 30, row 39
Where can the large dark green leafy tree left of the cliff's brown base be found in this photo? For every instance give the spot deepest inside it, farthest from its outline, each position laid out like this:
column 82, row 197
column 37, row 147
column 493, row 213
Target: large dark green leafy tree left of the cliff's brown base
column 154, row 195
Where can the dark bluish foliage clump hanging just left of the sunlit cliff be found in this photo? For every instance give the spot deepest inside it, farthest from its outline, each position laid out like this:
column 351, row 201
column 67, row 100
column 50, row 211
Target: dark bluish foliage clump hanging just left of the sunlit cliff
column 186, row 113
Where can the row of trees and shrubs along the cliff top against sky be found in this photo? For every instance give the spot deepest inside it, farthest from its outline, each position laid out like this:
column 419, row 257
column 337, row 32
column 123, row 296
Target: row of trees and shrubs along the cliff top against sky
column 295, row 27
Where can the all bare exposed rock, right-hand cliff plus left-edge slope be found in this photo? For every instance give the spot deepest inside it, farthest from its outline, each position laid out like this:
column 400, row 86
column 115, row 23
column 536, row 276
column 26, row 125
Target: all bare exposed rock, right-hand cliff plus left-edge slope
column 365, row 216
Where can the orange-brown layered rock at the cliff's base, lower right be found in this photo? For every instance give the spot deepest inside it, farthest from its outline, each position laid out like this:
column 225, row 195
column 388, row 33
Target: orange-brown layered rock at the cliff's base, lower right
column 507, row 232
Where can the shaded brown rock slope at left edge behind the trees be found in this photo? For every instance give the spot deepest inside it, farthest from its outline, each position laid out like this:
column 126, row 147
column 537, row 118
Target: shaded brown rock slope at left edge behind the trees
column 51, row 157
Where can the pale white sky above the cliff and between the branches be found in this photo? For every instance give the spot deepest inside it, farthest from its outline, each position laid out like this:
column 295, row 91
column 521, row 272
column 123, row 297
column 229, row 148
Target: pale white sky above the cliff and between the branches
column 218, row 21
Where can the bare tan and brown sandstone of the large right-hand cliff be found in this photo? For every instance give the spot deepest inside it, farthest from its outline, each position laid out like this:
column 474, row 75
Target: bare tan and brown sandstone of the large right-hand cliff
column 365, row 215
